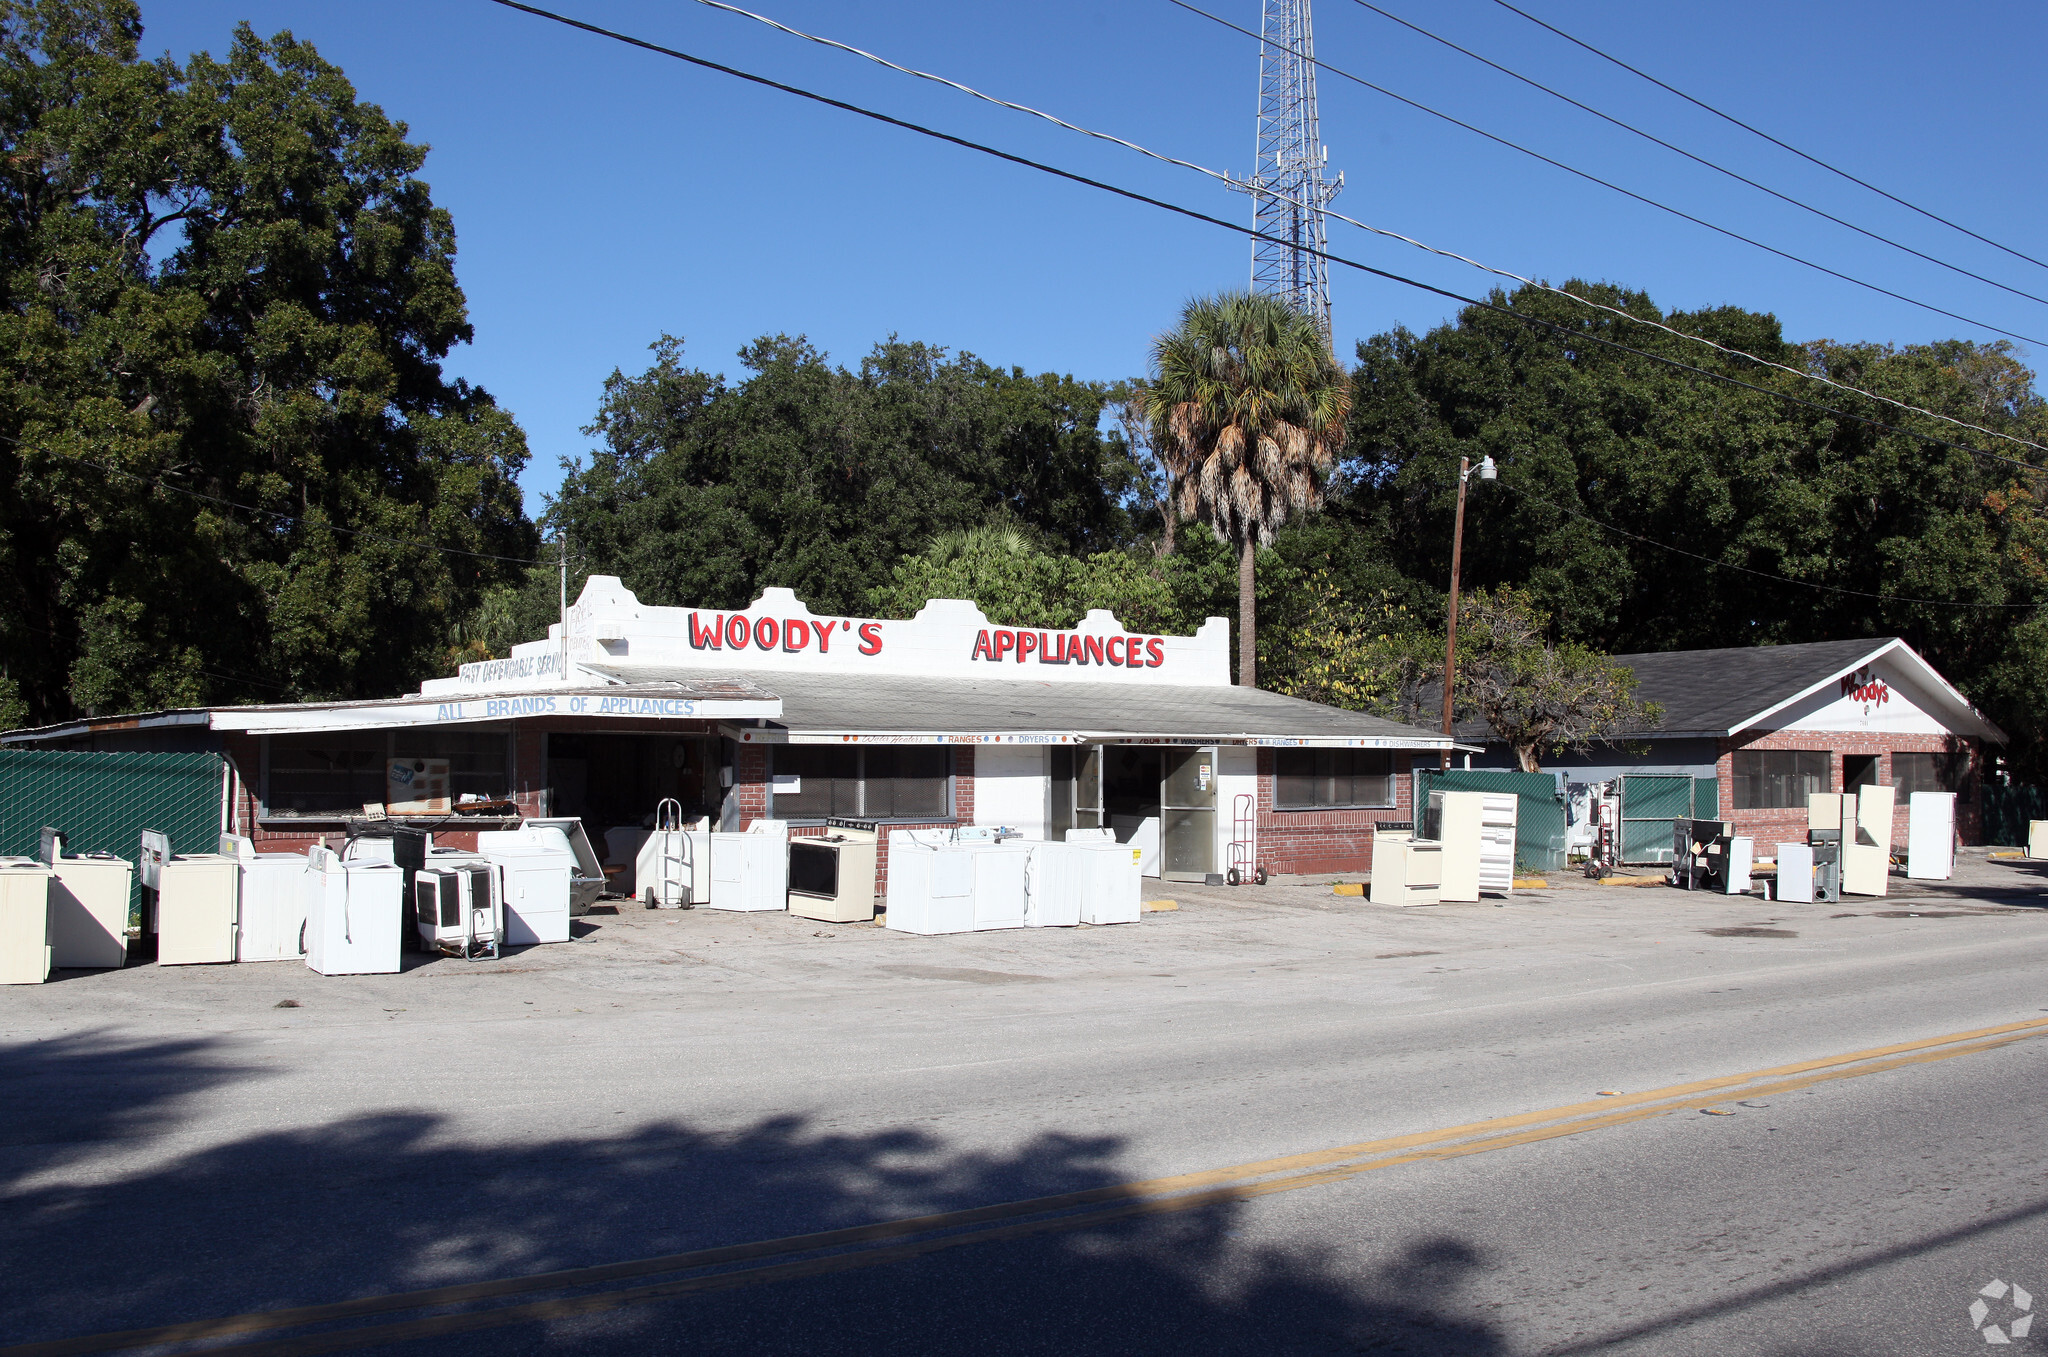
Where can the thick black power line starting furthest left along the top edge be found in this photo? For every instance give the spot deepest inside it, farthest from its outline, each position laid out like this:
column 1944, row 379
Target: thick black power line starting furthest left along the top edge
column 1576, row 337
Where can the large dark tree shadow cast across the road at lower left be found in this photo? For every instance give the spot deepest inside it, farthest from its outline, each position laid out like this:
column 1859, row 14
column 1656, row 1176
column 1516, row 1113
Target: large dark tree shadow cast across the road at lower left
column 112, row 1225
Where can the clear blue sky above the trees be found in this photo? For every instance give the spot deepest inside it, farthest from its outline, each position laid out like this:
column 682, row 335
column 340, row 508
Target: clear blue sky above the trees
column 607, row 195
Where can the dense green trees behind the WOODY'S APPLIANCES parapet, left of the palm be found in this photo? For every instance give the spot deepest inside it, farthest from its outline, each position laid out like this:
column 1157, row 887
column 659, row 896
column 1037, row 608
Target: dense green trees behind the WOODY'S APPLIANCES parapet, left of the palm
column 820, row 478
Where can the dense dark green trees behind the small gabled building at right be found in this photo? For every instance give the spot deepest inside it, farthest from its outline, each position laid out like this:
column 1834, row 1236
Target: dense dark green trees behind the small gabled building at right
column 1611, row 462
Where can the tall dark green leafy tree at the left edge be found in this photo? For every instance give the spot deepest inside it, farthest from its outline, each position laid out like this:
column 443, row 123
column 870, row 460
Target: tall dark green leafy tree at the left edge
column 224, row 286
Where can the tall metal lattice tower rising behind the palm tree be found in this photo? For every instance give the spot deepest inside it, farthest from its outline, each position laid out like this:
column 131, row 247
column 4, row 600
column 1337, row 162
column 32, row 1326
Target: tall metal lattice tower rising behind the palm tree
column 1287, row 185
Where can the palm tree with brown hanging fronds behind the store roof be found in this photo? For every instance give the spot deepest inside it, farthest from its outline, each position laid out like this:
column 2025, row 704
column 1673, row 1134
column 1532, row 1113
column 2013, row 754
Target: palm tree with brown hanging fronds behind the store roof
column 1248, row 408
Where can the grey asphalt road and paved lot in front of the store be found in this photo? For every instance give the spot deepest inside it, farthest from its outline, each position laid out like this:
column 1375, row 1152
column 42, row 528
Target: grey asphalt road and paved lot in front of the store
column 1385, row 1135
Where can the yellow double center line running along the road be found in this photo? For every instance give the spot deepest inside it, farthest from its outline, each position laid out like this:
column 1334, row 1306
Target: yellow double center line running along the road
column 835, row 1252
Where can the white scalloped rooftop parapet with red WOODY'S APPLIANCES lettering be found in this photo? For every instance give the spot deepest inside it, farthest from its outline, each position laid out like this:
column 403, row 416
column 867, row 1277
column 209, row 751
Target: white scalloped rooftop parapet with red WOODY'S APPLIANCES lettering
column 615, row 638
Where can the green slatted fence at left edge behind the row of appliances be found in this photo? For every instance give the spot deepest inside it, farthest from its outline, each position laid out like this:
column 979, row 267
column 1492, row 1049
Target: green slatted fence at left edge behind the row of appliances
column 103, row 801
